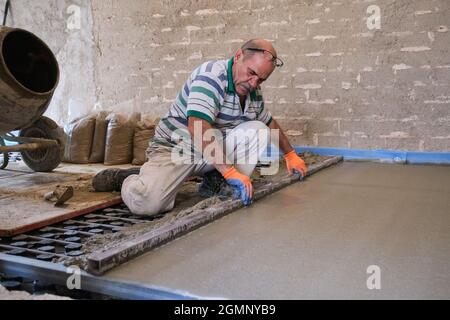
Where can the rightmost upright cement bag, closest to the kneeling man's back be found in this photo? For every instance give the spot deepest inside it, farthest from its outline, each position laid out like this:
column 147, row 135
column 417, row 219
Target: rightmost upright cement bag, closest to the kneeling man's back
column 144, row 132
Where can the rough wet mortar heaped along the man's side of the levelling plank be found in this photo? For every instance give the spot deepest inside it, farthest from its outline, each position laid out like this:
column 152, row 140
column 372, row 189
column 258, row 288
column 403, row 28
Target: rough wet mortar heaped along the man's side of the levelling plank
column 188, row 202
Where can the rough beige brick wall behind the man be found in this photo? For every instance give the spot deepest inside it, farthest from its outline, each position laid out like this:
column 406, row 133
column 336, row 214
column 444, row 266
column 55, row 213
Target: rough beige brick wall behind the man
column 347, row 81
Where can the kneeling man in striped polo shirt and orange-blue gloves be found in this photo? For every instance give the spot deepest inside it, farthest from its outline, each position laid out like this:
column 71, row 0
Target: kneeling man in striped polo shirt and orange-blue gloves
column 222, row 97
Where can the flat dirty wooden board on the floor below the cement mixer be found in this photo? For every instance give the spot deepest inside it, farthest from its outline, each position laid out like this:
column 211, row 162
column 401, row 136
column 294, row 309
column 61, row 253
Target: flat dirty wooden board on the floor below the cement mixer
column 22, row 204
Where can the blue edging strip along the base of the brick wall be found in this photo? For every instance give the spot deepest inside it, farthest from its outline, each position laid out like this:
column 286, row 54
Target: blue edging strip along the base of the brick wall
column 389, row 156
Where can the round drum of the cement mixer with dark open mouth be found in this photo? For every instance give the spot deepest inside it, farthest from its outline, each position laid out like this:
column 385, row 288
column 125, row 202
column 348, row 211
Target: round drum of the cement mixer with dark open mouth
column 29, row 75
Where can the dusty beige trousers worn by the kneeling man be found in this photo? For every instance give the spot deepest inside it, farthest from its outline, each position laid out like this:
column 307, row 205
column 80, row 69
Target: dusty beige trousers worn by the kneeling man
column 153, row 191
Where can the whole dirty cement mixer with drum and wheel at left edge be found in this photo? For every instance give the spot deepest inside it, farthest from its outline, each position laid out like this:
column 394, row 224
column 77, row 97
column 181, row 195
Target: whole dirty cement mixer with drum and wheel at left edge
column 29, row 75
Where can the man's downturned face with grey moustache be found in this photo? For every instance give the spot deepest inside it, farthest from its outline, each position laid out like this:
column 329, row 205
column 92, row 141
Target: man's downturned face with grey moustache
column 250, row 72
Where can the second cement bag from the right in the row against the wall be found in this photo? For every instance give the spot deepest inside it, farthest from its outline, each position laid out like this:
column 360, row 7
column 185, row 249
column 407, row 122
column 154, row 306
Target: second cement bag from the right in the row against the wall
column 119, row 138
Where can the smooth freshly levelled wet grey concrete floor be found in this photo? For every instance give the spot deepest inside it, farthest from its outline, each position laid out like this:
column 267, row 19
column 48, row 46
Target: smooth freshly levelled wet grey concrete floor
column 316, row 240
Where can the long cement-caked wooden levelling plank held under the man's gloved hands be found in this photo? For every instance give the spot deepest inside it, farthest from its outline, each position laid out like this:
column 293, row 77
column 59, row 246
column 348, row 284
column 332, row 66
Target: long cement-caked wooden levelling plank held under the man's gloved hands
column 103, row 260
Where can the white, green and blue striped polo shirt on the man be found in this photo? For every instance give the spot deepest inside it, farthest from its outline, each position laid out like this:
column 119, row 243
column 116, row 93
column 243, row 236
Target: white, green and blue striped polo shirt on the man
column 209, row 94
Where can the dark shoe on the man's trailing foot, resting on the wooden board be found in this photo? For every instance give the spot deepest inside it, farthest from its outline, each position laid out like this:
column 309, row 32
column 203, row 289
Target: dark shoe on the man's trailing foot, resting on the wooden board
column 112, row 179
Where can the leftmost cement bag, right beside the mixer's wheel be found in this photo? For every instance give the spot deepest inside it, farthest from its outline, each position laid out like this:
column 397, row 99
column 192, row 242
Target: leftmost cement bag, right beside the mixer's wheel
column 79, row 133
